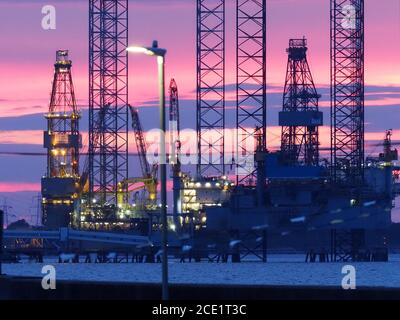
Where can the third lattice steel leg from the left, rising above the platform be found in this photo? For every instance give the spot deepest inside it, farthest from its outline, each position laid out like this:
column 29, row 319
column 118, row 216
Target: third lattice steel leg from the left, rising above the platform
column 251, row 85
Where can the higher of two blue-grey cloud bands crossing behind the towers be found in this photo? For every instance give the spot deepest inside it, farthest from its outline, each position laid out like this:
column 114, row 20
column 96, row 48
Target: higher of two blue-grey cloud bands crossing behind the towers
column 382, row 111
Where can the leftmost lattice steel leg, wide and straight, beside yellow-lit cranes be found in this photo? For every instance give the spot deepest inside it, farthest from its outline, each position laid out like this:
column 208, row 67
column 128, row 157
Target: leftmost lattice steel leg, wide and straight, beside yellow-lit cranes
column 108, row 96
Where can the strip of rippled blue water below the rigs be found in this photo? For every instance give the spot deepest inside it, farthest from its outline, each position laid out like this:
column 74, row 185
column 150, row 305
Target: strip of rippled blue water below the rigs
column 280, row 270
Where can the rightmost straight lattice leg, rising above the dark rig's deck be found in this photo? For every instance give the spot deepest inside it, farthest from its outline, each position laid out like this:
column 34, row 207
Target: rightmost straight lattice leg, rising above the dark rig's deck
column 347, row 91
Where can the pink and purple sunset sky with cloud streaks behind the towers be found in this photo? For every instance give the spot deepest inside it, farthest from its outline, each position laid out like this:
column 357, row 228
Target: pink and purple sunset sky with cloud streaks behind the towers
column 27, row 54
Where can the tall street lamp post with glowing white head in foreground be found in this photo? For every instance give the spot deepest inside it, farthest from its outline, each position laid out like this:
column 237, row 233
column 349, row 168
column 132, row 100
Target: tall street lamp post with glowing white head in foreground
column 160, row 54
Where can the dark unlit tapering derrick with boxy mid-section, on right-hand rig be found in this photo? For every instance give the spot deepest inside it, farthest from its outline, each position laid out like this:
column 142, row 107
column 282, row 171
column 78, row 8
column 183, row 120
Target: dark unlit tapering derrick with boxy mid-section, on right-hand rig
column 300, row 117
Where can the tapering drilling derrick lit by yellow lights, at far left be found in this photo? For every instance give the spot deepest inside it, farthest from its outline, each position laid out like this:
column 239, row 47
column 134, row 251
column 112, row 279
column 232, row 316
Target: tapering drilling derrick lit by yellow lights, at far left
column 62, row 141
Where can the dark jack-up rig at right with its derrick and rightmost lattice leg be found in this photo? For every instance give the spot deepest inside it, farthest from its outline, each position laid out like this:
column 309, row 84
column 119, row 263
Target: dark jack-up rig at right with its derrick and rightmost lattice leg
column 296, row 196
